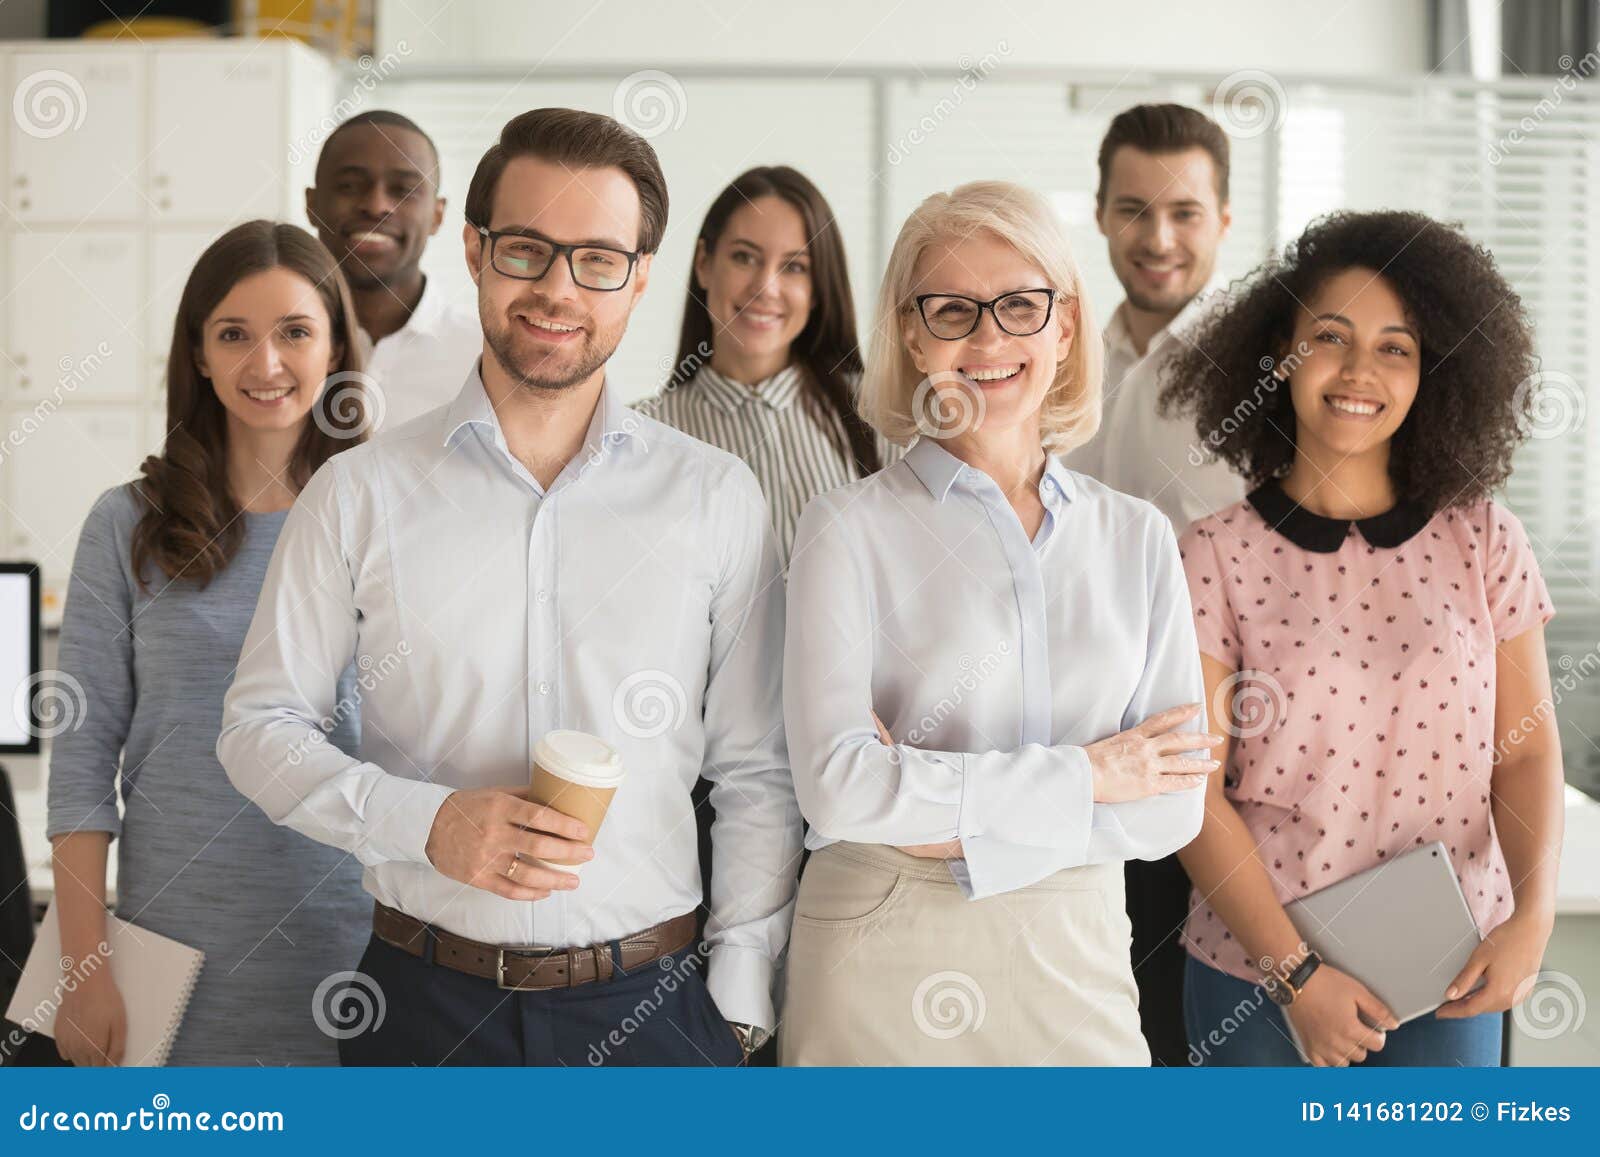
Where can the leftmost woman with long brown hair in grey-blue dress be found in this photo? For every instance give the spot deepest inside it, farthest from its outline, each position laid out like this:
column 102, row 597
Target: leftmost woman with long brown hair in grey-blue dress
column 263, row 386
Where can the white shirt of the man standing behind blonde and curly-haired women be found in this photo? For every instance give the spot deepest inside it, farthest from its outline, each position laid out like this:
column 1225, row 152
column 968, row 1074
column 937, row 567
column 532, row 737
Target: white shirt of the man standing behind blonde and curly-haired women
column 1137, row 450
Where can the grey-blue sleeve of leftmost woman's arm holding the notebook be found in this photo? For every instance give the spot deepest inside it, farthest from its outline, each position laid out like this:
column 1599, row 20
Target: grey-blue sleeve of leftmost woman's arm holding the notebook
column 97, row 678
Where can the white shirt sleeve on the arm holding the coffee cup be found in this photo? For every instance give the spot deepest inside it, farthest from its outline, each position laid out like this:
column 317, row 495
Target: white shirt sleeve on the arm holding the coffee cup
column 273, row 747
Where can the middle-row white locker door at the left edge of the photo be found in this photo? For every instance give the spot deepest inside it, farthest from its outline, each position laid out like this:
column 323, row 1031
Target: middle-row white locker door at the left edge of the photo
column 71, row 292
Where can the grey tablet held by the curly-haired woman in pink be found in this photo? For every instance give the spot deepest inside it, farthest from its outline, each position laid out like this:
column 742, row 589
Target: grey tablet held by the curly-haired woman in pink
column 1402, row 929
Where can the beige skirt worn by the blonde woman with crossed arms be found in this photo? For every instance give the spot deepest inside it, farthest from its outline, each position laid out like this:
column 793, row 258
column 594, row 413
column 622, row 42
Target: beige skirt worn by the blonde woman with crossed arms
column 889, row 964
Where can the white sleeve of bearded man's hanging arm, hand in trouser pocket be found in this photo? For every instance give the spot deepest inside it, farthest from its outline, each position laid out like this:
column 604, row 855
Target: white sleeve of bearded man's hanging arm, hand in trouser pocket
column 756, row 839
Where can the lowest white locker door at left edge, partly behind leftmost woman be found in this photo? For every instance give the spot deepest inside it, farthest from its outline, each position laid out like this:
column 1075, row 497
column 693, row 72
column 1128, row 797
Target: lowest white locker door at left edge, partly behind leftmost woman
column 57, row 465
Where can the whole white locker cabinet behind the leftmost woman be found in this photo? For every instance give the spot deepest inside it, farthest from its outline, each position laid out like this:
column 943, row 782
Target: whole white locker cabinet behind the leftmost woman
column 124, row 161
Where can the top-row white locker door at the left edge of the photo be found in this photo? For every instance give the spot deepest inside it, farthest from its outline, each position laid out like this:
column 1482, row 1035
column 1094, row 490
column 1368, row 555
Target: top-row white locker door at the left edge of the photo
column 76, row 142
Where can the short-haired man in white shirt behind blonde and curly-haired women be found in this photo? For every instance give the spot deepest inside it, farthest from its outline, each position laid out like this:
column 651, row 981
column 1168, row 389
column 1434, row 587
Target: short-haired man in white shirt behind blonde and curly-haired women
column 1164, row 210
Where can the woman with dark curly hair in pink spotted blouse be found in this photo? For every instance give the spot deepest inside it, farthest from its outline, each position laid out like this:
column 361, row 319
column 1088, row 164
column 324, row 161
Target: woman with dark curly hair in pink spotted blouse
column 1388, row 615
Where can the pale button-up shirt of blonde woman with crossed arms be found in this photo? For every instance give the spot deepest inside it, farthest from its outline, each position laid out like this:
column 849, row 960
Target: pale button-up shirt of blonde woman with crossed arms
column 991, row 660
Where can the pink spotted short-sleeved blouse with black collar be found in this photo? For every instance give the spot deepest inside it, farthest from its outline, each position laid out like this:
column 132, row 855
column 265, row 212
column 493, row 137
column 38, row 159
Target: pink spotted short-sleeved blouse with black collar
column 1366, row 689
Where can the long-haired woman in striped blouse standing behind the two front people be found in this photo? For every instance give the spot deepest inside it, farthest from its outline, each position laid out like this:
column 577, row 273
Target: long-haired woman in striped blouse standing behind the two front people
column 767, row 362
